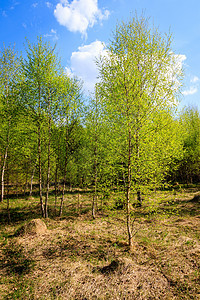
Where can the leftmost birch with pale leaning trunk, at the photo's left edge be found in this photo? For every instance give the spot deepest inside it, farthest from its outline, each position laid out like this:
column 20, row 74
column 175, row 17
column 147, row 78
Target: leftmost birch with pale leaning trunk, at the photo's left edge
column 9, row 79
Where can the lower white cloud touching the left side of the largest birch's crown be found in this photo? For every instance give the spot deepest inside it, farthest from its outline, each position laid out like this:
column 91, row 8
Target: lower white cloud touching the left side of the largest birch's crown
column 82, row 63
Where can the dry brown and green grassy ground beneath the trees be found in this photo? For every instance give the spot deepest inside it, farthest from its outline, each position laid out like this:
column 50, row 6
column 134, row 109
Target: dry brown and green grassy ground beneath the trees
column 81, row 258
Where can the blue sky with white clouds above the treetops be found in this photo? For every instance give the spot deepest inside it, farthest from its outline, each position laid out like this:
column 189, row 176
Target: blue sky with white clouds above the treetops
column 79, row 27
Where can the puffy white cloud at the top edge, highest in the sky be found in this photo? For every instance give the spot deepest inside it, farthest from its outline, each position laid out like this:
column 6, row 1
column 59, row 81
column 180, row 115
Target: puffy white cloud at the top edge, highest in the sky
column 78, row 15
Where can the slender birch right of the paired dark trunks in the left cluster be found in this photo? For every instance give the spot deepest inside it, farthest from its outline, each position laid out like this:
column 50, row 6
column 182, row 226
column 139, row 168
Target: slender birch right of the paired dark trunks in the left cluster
column 68, row 114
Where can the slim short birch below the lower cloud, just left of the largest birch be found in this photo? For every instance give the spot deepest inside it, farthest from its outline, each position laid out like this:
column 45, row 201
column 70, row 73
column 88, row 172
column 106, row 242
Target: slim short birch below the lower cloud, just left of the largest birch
column 99, row 162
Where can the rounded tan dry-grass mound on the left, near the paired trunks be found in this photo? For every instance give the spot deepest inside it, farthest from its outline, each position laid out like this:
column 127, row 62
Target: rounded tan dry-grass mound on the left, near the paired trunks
column 34, row 227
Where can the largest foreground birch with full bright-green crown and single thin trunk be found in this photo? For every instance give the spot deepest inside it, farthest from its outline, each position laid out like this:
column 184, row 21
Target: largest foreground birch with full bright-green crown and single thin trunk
column 138, row 85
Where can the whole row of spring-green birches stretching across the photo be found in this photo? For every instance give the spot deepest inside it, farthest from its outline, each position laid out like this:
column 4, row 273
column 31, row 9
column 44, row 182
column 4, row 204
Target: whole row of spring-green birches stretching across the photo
column 128, row 136
